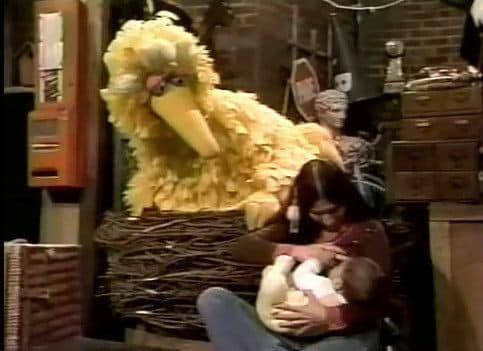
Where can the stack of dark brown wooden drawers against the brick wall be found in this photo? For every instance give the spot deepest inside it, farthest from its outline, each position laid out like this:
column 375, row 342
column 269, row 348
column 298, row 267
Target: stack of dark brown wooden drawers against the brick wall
column 437, row 156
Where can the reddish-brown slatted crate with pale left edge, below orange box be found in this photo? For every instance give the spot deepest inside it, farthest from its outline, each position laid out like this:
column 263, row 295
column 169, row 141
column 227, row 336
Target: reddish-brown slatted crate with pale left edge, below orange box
column 42, row 295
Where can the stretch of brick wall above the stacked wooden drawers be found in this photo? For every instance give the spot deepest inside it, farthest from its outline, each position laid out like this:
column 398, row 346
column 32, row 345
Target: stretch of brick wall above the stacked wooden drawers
column 430, row 30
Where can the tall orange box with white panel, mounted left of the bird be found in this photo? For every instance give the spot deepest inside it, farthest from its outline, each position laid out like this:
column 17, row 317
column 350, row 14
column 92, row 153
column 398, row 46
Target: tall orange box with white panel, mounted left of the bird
column 55, row 130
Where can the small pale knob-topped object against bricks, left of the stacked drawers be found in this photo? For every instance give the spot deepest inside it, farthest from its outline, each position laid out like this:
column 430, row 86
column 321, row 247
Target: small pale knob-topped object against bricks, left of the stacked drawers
column 394, row 82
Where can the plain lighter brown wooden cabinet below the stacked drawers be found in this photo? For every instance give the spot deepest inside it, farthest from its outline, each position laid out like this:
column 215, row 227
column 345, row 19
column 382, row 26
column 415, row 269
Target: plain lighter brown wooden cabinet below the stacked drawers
column 456, row 236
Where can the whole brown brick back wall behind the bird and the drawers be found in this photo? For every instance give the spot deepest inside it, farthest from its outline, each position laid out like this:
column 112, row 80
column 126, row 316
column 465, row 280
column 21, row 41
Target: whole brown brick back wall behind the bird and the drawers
column 256, row 53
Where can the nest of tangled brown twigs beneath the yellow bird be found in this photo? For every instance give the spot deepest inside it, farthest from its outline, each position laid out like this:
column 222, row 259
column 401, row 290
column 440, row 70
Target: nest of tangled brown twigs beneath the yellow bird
column 159, row 263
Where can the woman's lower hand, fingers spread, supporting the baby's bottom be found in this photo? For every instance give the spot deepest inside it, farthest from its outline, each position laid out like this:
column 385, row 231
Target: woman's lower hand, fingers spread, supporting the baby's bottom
column 307, row 320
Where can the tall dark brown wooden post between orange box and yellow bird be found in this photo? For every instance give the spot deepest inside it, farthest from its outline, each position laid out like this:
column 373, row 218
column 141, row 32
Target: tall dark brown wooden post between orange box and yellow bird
column 98, row 155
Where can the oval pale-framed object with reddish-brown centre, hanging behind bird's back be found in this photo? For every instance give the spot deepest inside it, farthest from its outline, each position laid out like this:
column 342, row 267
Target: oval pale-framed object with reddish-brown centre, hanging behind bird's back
column 305, row 87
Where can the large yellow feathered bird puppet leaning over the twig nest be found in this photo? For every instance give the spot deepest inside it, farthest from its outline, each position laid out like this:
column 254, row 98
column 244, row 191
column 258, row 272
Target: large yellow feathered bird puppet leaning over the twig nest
column 197, row 147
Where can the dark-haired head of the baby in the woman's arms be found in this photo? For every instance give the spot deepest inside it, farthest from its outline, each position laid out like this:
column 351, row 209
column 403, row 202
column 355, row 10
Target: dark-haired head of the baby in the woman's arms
column 358, row 279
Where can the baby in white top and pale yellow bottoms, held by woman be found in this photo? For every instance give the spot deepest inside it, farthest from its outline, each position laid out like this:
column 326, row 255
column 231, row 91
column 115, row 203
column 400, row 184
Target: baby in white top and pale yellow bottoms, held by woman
column 353, row 280
